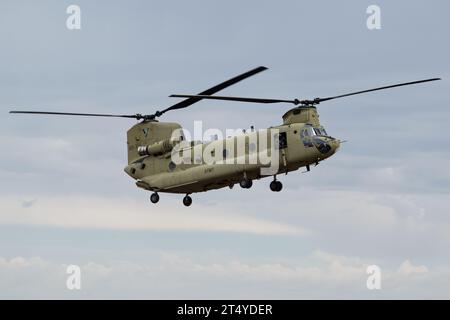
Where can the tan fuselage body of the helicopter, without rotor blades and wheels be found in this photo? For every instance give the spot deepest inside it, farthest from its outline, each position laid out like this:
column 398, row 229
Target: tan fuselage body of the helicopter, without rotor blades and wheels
column 151, row 146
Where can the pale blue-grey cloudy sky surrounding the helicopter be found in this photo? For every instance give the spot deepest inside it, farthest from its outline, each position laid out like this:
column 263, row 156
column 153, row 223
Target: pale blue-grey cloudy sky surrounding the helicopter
column 381, row 200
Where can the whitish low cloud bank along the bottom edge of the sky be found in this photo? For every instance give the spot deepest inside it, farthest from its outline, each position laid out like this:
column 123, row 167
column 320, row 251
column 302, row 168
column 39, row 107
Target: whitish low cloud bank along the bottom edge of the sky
column 318, row 274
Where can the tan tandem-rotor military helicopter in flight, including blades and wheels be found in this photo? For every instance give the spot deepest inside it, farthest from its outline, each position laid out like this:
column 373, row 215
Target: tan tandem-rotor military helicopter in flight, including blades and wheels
column 300, row 141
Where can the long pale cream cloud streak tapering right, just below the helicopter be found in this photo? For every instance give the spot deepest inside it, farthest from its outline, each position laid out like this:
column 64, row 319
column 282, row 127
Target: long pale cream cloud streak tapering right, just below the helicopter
column 125, row 214
